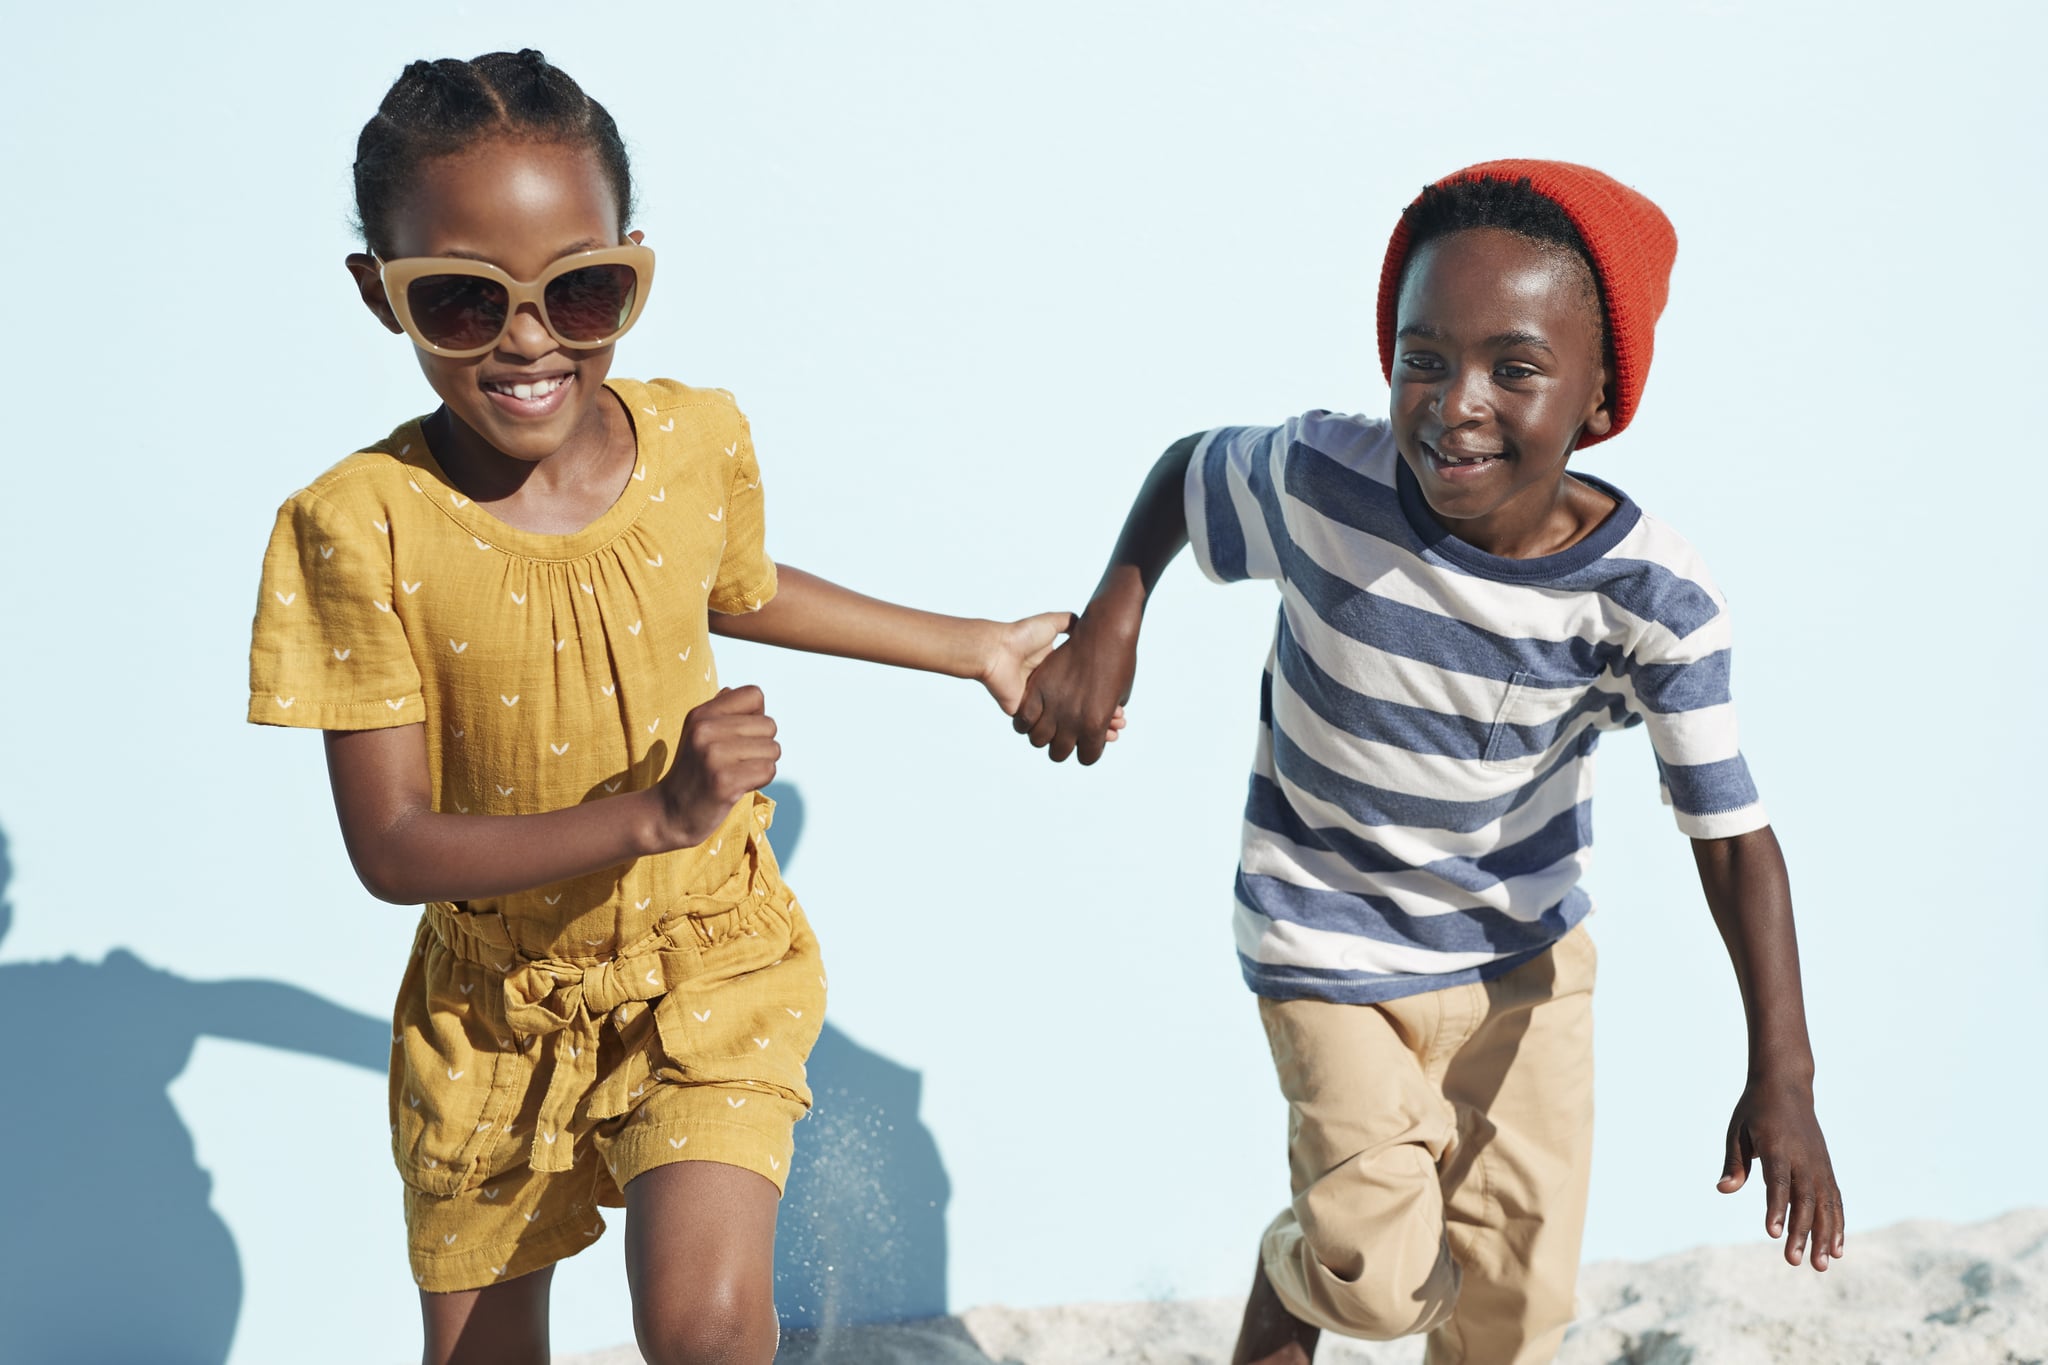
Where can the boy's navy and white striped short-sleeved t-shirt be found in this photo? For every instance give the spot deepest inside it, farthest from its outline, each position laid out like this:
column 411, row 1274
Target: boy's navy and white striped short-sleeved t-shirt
column 1420, row 803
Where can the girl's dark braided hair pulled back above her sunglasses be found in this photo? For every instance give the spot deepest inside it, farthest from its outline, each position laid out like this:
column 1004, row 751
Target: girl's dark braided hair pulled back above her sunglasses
column 441, row 107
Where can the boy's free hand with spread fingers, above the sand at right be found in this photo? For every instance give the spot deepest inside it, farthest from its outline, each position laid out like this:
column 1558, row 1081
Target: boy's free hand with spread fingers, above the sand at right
column 1775, row 1122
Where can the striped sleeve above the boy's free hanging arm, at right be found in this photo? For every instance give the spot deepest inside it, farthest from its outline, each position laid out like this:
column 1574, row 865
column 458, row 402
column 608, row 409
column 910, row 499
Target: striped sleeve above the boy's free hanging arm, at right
column 1680, row 687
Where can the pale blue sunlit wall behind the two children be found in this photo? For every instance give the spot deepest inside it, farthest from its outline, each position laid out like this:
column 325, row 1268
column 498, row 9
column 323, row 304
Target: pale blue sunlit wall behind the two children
column 970, row 269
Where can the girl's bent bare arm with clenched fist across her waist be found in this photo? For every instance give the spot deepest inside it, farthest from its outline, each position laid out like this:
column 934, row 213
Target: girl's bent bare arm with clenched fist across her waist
column 409, row 852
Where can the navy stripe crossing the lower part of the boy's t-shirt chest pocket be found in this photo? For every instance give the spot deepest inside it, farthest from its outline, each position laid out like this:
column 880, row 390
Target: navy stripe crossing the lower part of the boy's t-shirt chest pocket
column 1420, row 730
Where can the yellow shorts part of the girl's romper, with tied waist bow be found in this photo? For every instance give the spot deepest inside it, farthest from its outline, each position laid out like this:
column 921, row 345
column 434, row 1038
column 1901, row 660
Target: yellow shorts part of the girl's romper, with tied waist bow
column 529, row 1094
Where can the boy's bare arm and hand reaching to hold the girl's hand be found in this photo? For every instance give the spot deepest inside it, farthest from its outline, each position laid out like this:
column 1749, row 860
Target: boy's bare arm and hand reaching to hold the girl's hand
column 1072, row 699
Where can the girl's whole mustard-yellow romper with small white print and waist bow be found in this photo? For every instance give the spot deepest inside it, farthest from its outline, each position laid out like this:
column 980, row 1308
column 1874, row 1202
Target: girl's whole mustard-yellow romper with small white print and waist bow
column 554, row 1045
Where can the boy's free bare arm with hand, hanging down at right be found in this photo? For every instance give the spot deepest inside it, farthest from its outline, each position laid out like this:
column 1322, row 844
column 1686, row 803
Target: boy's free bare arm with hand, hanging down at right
column 1752, row 899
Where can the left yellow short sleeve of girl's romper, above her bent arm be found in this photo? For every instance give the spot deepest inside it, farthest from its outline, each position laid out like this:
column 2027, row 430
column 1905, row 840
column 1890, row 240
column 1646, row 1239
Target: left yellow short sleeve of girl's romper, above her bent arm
column 329, row 650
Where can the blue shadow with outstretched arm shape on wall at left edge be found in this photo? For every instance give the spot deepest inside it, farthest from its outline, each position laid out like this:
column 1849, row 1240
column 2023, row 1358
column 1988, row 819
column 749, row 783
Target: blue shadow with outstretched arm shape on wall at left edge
column 110, row 1247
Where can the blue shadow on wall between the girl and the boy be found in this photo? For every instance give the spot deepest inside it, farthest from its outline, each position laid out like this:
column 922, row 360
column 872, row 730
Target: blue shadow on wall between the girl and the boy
column 863, row 1227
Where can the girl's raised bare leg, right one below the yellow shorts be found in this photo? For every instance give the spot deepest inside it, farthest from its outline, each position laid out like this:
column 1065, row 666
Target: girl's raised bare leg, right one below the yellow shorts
column 701, row 1266
